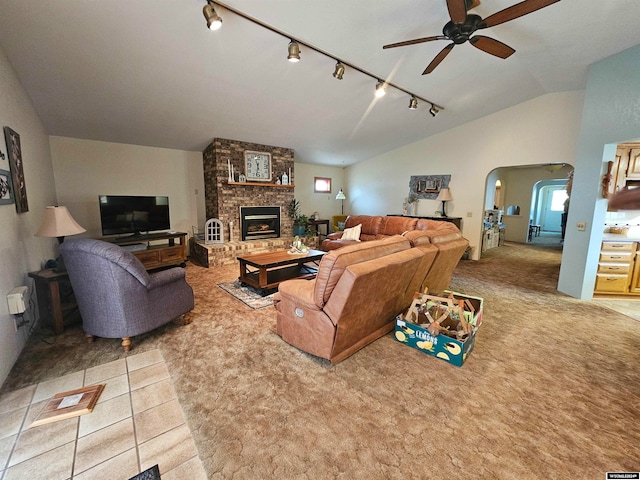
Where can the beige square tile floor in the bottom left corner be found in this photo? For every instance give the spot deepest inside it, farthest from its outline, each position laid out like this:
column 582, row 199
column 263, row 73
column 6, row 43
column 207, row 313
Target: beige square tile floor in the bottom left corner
column 136, row 424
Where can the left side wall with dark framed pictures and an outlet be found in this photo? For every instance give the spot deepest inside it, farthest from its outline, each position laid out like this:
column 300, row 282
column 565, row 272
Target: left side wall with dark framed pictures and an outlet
column 20, row 251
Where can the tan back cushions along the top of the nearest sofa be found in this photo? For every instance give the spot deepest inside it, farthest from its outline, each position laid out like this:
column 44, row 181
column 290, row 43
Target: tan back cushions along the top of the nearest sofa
column 335, row 262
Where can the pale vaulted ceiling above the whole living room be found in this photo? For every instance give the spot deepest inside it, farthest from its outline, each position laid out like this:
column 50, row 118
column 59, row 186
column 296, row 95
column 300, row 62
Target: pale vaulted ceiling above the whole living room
column 149, row 72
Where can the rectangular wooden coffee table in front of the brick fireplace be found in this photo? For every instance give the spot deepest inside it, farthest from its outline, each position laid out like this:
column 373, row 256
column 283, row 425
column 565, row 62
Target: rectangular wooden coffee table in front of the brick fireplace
column 272, row 268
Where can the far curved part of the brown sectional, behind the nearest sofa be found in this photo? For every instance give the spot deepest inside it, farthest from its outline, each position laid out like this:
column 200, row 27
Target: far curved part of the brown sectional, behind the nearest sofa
column 444, row 235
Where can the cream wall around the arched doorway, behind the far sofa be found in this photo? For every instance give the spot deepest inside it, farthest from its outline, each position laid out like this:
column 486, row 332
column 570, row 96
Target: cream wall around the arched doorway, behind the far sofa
column 542, row 130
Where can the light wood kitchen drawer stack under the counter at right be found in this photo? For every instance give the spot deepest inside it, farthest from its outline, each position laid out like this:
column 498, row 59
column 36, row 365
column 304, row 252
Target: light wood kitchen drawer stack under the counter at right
column 615, row 268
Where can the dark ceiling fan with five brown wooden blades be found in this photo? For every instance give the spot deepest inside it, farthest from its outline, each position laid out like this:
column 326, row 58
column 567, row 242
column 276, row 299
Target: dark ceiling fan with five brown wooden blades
column 463, row 25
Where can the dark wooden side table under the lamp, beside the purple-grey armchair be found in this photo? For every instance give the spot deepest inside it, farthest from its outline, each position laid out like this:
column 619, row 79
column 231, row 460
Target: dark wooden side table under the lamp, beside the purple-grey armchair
column 55, row 297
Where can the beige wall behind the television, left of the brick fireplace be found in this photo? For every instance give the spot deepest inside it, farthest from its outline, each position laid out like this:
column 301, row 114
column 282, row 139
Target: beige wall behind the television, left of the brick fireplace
column 85, row 169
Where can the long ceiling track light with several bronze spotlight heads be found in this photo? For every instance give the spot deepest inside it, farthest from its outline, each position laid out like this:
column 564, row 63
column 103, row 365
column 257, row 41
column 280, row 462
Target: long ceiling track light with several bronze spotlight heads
column 294, row 53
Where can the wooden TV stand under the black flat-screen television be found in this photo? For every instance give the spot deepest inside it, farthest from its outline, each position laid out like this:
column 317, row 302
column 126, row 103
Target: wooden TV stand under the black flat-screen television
column 157, row 255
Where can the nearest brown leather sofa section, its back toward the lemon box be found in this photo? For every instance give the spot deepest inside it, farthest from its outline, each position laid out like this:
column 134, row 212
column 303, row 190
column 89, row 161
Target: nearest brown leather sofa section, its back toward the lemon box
column 355, row 297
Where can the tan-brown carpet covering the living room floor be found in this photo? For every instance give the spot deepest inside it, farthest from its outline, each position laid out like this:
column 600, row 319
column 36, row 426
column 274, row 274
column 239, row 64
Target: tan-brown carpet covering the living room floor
column 551, row 390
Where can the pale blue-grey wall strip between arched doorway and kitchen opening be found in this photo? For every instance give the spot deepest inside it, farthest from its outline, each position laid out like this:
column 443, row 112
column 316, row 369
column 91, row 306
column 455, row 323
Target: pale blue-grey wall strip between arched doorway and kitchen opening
column 611, row 115
